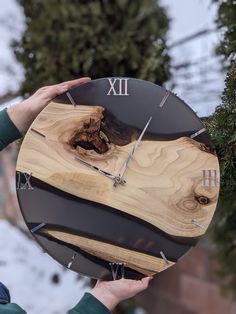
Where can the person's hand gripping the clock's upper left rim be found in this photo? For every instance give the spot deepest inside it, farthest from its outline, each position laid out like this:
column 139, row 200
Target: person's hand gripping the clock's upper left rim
column 24, row 113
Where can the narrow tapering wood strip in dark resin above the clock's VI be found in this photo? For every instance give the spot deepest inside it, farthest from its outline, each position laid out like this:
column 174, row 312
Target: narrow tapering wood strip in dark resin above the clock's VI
column 143, row 263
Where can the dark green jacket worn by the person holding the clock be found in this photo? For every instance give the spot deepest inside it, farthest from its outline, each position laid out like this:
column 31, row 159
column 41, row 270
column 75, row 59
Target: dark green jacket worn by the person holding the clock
column 88, row 304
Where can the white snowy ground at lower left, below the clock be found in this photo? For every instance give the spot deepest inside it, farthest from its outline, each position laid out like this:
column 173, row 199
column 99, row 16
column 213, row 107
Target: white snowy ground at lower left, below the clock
column 30, row 275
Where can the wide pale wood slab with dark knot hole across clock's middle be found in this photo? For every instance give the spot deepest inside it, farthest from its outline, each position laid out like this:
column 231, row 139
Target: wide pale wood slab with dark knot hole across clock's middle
column 164, row 180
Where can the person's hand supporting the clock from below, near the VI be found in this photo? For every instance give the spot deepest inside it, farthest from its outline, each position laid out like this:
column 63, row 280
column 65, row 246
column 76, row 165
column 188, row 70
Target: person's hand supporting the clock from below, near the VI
column 110, row 293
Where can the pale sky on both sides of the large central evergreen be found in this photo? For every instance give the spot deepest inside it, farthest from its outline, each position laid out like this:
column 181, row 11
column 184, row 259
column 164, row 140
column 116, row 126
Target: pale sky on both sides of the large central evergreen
column 200, row 85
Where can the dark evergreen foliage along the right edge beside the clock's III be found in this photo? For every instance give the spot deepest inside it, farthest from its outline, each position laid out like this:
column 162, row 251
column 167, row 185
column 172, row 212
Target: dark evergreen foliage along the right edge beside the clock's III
column 223, row 129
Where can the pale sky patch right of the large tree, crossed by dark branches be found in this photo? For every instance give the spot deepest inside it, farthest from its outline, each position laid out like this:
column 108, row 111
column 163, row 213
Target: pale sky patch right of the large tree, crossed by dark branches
column 201, row 84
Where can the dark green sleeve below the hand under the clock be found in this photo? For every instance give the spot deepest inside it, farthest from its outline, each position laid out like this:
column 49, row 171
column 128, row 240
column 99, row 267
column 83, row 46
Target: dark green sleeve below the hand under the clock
column 89, row 305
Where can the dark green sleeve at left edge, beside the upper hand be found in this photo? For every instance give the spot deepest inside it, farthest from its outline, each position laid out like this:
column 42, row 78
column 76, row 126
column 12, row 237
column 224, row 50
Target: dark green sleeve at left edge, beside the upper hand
column 8, row 131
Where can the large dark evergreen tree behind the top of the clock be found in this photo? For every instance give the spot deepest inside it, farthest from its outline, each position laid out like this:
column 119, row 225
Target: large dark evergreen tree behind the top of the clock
column 66, row 39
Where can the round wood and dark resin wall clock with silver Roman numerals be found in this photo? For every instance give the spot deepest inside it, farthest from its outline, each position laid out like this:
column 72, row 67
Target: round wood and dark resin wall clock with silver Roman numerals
column 117, row 178
